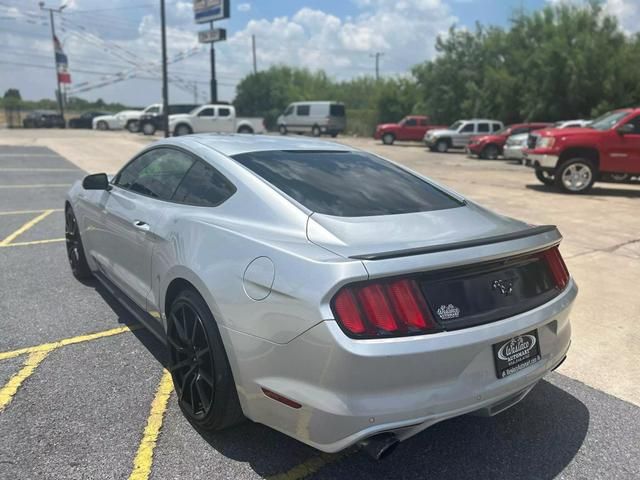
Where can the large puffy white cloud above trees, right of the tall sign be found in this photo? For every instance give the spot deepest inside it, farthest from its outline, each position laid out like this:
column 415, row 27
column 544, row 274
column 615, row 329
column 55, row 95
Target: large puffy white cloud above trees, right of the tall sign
column 316, row 39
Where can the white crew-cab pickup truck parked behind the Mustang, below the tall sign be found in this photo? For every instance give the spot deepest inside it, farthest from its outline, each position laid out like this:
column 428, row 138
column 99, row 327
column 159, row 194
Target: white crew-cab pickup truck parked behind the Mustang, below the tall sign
column 213, row 118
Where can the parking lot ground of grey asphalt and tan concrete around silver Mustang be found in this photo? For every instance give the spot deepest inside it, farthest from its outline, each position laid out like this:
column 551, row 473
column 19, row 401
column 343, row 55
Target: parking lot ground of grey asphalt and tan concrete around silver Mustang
column 83, row 393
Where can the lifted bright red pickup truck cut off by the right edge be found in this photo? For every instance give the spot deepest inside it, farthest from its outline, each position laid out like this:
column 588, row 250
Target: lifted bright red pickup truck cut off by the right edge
column 574, row 158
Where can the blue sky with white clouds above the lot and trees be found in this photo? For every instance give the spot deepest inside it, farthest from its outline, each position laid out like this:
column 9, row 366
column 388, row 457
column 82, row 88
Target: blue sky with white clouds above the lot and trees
column 106, row 41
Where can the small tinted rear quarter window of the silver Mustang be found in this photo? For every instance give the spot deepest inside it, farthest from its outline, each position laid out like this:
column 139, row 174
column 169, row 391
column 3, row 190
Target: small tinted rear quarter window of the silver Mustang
column 204, row 186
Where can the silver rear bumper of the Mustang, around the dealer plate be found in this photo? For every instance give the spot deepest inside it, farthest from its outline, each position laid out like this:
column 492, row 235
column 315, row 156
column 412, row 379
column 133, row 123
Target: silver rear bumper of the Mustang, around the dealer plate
column 353, row 389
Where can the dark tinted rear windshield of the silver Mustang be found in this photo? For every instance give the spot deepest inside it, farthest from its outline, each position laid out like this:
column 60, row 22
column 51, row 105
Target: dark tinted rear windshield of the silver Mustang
column 346, row 184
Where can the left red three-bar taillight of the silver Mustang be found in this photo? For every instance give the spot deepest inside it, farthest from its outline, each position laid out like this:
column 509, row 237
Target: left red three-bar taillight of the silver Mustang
column 383, row 309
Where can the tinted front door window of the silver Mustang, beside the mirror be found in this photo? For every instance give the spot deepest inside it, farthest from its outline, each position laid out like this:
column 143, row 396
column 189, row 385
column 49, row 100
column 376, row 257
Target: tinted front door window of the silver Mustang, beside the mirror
column 156, row 173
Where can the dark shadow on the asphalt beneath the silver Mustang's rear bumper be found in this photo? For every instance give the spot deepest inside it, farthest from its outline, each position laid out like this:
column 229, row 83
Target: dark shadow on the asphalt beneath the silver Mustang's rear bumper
column 535, row 439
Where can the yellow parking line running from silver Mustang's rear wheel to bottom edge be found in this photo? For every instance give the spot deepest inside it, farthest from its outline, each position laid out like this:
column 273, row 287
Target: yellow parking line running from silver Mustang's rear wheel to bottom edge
column 144, row 457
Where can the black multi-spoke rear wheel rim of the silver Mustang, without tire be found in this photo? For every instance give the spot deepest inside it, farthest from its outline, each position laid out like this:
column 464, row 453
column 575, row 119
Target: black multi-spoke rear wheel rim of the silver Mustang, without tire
column 192, row 365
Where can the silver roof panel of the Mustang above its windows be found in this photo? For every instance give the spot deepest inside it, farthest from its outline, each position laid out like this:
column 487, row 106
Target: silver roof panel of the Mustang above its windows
column 234, row 144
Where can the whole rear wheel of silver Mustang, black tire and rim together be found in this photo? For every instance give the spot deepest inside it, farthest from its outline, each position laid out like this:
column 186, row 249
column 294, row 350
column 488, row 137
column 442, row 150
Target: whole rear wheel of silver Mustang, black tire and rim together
column 199, row 366
